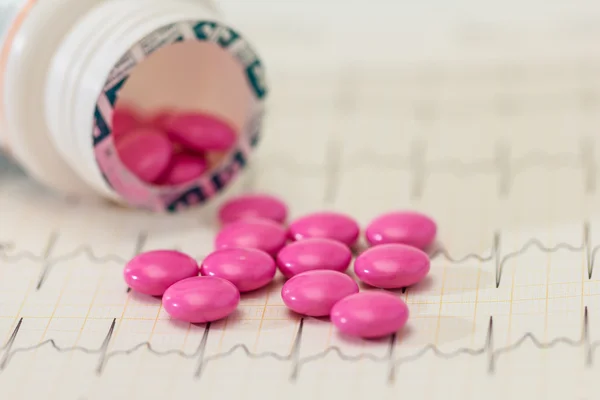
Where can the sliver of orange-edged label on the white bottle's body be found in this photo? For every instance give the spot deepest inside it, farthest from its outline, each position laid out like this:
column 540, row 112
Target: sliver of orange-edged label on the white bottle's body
column 12, row 15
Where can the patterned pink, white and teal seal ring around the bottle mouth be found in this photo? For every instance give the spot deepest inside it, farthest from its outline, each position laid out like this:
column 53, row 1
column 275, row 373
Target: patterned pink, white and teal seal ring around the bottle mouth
column 157, row 198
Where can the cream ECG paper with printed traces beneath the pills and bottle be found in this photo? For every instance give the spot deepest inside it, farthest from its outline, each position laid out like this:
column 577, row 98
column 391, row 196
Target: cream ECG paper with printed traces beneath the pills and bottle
column 503, row 155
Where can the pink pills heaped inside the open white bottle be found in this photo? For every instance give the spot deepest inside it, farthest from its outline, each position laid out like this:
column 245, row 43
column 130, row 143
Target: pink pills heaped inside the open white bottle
column 169, row 148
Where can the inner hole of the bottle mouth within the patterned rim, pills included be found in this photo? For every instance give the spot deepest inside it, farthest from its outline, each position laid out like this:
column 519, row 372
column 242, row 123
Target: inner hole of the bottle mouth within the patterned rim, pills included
column 178, row 115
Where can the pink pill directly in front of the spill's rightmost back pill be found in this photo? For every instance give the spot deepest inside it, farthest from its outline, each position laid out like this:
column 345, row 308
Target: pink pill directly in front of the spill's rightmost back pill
column 392, row 266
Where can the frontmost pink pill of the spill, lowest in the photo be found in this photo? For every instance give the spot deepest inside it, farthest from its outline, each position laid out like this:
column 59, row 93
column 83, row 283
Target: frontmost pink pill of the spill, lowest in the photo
column 370, row 315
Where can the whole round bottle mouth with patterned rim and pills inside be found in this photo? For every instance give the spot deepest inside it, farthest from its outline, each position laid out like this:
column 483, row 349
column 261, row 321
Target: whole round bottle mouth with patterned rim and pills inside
column 179, row 124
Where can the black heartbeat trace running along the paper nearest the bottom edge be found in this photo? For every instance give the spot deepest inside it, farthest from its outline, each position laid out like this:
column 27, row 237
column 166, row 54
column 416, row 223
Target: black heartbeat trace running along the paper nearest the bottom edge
column 296, row 361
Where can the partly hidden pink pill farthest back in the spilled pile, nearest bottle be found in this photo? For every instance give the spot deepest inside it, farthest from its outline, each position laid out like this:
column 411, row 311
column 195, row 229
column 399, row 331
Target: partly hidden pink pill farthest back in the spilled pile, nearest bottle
column 253, row 206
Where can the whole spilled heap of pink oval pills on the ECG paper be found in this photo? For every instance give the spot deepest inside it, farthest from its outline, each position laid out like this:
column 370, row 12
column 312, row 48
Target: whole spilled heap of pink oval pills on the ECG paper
column 313, row 253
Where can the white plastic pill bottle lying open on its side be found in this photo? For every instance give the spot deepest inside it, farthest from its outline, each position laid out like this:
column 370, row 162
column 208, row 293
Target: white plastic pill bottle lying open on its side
column 65, row 63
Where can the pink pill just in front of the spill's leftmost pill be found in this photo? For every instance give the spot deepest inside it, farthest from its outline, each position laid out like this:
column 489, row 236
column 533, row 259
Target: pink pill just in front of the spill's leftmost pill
column 201, row 299
